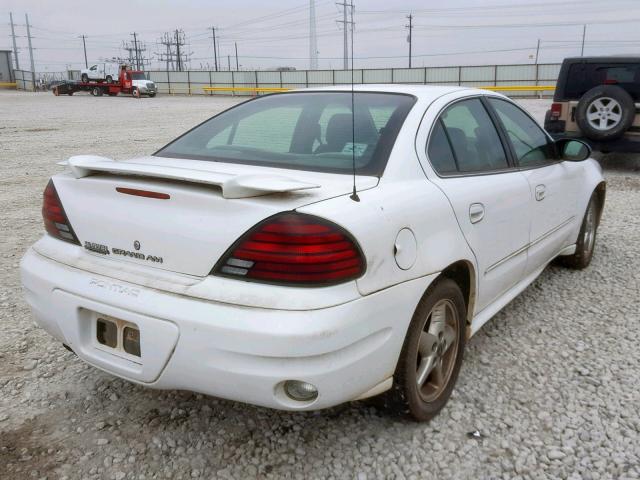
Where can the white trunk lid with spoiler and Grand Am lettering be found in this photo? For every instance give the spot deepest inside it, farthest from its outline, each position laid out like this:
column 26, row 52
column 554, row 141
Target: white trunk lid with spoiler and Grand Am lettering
column 210, row 206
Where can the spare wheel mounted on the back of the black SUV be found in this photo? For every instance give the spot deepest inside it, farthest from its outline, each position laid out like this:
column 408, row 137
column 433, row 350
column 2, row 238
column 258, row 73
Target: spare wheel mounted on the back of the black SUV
column 626, row 109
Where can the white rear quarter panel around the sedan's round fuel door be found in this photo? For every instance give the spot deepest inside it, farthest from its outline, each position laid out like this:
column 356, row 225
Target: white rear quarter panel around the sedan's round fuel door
column 404, row 198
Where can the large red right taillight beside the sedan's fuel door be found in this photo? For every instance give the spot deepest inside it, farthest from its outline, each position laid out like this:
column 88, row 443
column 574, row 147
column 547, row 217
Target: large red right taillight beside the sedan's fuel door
column 293, row 248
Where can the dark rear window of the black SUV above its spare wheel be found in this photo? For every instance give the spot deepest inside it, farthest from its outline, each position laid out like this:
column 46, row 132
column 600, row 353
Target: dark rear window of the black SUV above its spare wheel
column 582, row 77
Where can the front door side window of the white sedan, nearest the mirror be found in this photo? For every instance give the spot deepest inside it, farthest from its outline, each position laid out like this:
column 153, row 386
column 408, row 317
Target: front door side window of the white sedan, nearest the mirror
column 530, row 143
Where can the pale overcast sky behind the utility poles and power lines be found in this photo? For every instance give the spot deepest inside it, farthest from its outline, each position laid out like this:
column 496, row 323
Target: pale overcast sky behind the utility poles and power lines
column 276, row 33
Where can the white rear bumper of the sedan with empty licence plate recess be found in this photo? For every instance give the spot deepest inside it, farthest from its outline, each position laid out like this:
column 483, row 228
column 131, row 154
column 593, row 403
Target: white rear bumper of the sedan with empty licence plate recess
column 225, row 350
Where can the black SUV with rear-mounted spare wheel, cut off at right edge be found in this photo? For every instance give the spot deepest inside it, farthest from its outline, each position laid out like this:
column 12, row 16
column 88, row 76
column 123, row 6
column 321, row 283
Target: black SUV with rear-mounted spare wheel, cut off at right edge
column 596, row 100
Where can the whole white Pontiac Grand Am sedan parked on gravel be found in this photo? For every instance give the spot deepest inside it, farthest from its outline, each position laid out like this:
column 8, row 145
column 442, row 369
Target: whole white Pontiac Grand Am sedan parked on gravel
column 276, row 255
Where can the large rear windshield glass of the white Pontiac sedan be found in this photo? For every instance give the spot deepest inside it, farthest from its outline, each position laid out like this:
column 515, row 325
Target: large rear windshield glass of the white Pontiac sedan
column 304, row 131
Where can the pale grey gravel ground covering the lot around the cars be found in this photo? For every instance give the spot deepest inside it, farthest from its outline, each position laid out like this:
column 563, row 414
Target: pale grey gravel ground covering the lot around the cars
column 550, row 384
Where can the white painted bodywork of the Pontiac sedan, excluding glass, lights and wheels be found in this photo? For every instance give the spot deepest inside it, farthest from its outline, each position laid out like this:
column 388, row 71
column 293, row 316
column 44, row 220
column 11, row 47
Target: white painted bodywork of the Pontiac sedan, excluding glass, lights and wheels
column 241, row 340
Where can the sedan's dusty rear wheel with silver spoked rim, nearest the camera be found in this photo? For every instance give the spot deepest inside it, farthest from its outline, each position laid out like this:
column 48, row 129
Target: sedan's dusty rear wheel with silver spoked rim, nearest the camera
column 432, row 353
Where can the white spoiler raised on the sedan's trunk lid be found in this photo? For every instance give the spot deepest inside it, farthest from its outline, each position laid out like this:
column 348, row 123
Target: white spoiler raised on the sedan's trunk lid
column 233, row 186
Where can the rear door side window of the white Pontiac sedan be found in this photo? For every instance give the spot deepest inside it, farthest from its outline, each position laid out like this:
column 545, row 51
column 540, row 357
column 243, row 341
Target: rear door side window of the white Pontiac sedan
column 473, row 137
